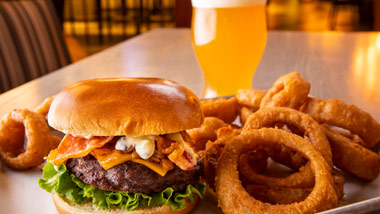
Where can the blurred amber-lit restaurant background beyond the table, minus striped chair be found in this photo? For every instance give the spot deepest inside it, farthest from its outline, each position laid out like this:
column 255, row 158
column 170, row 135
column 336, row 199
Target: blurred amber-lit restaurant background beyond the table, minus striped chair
column 98, row 24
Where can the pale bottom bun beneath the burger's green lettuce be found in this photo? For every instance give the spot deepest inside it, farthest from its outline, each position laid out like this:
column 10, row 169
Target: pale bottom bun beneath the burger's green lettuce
column 65, row 206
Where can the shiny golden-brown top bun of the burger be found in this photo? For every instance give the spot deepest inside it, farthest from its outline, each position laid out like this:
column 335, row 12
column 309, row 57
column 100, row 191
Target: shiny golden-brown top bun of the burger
column 130, row 106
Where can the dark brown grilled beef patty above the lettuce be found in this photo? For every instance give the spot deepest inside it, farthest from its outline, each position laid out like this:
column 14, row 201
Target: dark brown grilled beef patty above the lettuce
column 131, row 177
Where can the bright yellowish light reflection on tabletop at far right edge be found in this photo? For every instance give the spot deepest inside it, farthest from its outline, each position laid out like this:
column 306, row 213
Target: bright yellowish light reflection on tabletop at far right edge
column 365, row 64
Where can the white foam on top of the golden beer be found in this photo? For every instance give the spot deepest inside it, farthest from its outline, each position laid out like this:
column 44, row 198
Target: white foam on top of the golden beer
column 225, row 3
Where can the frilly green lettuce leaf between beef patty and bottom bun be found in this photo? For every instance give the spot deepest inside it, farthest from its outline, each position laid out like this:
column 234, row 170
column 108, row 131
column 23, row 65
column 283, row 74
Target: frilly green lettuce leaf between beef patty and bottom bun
column 57, row 180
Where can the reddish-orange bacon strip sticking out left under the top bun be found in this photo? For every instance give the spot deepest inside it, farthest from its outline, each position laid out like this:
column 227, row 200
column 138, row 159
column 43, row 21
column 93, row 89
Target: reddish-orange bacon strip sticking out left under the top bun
column 75, row 147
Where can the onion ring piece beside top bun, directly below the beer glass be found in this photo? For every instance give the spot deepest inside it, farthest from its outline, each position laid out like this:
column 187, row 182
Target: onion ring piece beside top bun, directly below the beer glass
column 224, row 109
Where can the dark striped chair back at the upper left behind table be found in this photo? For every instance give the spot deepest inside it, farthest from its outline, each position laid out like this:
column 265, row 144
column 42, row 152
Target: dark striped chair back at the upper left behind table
column 31, row 42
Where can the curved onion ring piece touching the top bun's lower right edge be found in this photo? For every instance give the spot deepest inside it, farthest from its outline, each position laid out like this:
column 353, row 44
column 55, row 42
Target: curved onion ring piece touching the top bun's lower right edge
column 207, row 132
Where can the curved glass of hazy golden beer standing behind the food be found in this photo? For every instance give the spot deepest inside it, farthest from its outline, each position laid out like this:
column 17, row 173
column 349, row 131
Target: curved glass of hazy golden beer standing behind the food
column 229, row 38
